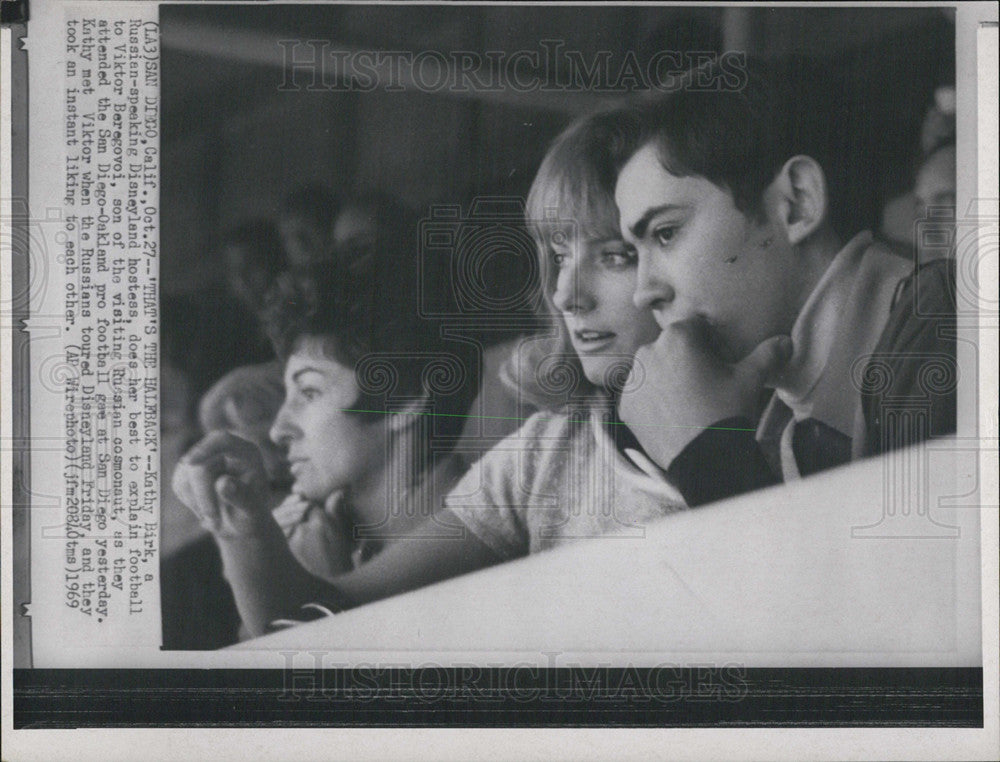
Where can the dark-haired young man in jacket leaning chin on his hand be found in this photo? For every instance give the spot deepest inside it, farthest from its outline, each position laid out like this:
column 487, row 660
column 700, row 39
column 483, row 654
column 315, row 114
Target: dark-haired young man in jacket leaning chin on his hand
column 733, row 217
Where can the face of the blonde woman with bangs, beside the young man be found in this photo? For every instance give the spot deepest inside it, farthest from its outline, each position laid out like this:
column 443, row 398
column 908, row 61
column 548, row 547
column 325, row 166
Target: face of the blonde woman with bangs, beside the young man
column 594, row 285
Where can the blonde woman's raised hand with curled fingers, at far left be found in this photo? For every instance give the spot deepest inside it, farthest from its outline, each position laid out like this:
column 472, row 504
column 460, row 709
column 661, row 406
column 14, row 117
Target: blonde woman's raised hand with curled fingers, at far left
column 222, row 480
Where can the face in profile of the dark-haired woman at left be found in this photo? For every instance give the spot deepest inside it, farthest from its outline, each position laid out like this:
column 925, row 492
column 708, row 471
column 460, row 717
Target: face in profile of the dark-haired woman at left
column 329, row 447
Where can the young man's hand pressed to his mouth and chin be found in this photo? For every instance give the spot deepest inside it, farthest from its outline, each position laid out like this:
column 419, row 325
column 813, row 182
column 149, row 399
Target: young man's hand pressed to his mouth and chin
column 679, row 386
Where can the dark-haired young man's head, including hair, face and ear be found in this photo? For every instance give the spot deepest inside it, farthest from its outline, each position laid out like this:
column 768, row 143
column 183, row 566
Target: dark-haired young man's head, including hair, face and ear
column 726, row 198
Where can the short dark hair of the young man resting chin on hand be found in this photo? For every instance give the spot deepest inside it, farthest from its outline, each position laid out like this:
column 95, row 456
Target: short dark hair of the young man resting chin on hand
column 736, row 128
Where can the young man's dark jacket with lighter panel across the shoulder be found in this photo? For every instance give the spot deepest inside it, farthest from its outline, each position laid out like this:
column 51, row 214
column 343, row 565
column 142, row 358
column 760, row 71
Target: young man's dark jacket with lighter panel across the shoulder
column 882, row 376
